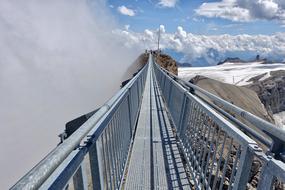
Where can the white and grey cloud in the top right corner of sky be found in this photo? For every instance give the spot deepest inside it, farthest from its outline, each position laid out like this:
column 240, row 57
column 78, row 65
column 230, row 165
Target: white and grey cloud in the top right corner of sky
column 244, row 10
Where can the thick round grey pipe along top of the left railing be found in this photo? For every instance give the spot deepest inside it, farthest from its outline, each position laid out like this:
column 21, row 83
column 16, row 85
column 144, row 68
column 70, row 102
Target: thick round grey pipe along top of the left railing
column 40, row 173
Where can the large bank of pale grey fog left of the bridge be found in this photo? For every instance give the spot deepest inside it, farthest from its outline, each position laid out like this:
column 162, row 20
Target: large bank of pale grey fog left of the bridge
column 58, row 60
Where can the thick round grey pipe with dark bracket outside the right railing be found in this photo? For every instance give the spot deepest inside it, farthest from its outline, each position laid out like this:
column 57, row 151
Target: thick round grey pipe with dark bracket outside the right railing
column 276, row 134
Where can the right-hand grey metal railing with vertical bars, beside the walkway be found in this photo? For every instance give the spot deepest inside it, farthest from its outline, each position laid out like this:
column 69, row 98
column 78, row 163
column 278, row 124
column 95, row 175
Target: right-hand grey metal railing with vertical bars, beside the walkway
column 218, row 153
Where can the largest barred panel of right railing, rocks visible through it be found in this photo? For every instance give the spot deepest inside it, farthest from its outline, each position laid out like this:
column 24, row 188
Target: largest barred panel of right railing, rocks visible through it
column 213, row 154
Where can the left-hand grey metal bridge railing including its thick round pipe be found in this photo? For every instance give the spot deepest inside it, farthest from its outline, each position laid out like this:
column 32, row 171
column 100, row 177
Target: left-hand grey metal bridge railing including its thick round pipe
column 94, row 155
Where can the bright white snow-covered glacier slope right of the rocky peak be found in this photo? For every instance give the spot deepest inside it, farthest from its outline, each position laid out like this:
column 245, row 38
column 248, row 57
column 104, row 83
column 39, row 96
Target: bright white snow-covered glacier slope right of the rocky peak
column 232, row 73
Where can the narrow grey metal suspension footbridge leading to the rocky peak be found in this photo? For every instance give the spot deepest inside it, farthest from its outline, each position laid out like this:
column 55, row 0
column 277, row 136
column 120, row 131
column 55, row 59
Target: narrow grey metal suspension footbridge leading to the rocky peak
column 159, row 132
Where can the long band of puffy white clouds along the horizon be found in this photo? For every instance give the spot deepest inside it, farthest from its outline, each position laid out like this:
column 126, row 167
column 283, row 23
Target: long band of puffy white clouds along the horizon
column 198, row 46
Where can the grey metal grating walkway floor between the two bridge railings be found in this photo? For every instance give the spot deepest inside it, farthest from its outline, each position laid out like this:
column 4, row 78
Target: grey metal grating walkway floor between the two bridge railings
column 155, row 162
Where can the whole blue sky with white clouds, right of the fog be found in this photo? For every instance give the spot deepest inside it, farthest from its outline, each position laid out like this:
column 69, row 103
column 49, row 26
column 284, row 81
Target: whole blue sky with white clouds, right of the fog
column 204, row 32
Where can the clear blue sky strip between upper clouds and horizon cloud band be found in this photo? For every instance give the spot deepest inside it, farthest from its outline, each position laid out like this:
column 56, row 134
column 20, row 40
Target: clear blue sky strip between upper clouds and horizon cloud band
column 149, row 14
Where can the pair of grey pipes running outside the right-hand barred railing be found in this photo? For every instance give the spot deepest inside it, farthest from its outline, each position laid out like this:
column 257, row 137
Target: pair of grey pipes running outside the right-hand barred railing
column 267, row 133
